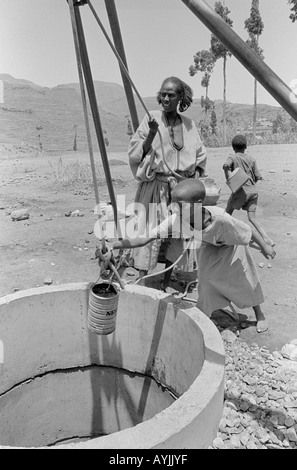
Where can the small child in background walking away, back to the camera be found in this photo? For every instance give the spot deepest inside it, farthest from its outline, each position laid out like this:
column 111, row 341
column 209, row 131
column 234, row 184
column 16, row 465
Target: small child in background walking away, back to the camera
column 246, row 198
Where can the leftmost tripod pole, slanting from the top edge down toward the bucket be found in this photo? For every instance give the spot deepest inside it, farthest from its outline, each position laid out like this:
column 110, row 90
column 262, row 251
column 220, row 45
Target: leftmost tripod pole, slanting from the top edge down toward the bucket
column 95, row 113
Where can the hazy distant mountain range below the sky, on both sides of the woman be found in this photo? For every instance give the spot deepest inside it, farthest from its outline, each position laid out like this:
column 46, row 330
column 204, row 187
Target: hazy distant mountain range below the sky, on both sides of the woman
column 52, row 116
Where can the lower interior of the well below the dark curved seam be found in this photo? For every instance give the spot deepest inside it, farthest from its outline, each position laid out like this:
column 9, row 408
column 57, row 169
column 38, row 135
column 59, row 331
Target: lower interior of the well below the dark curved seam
column 78, row 404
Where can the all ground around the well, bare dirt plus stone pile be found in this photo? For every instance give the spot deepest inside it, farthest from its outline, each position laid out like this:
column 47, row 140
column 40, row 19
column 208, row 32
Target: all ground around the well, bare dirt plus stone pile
column 52, row 246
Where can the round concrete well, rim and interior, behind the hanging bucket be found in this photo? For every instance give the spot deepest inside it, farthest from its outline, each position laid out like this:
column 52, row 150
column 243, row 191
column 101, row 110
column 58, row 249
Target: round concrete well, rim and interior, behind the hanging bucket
column 156, row 381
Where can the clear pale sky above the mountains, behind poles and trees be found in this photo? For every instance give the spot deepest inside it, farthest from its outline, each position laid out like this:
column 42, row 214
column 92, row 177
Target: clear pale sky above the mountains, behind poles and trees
column 160, row 39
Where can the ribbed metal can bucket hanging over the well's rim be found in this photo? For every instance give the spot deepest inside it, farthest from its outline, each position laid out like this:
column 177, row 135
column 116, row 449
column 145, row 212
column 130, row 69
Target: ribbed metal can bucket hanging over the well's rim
column 103, row 306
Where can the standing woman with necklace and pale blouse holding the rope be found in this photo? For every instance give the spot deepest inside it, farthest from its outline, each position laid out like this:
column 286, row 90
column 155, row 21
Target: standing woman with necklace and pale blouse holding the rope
column 184, row 154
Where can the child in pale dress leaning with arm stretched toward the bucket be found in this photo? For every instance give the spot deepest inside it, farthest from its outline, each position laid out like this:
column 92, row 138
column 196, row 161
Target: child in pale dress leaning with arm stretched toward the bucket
column 226, row 270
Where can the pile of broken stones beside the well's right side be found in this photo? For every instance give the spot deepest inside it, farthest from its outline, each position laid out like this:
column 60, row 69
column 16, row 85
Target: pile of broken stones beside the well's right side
column 260, row 405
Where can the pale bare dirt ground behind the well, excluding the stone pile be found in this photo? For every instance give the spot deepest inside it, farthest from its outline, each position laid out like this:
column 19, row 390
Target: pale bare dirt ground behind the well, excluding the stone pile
column 51, row 246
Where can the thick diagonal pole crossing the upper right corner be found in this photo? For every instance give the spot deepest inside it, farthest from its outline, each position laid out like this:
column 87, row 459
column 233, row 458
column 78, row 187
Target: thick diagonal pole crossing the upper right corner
column 249, row 59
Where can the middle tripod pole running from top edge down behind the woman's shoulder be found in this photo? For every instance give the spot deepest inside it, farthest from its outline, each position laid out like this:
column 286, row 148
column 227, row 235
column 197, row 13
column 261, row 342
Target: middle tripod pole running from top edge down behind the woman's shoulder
column 118, row 42
